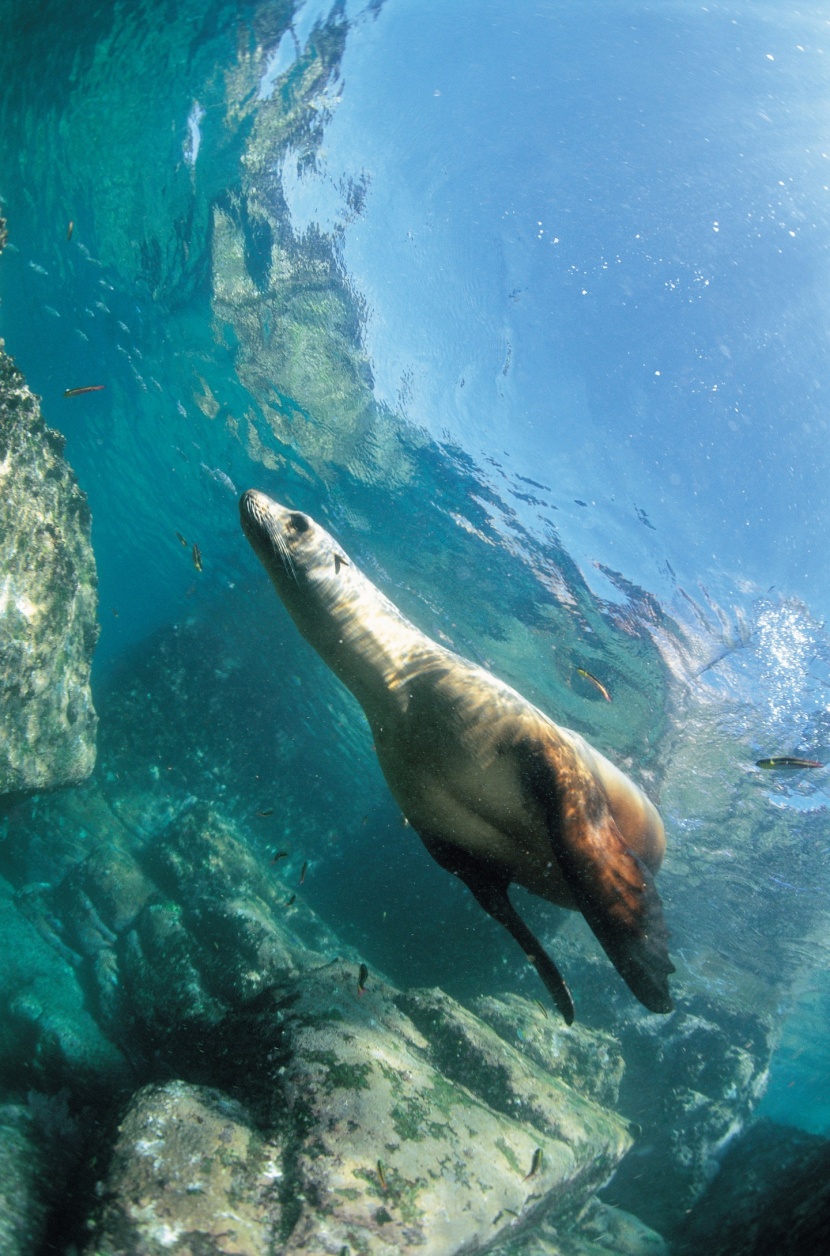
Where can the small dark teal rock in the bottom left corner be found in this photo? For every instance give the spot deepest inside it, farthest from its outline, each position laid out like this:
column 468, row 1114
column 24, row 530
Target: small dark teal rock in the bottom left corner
column 23, row 1195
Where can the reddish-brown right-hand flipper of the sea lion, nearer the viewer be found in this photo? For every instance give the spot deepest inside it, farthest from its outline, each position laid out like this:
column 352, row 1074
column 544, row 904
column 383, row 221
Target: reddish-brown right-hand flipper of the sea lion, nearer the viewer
column 613, row 889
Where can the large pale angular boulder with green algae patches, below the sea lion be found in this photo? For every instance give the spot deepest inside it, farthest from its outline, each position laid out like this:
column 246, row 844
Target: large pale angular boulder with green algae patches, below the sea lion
column 406, row 1146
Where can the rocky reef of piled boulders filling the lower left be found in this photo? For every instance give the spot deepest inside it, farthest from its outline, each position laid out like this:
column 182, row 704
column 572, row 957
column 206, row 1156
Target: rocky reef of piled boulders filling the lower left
column 269, row 1093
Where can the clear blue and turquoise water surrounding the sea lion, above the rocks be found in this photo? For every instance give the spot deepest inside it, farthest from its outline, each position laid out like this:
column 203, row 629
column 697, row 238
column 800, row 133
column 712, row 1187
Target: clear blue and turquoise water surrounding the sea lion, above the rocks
column 528, row 308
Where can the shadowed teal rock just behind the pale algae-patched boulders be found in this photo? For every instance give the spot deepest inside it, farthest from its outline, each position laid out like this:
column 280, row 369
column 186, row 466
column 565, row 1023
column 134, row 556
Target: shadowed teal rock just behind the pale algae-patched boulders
column 218, row 934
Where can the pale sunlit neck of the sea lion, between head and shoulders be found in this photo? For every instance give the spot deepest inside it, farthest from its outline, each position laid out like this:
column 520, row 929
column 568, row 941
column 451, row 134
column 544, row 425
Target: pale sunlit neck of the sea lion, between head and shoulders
column 362, row 636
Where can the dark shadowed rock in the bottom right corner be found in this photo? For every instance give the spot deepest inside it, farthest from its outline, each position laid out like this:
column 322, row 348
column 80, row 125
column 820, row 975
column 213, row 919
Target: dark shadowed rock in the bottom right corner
column 770, row 1196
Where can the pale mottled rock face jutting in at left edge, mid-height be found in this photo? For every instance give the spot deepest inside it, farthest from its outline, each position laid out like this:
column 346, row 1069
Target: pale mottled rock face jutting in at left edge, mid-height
column 48, row 600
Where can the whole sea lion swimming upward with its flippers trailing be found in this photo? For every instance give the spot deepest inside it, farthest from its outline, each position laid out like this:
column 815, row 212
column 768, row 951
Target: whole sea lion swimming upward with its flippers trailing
column 495, row 789
